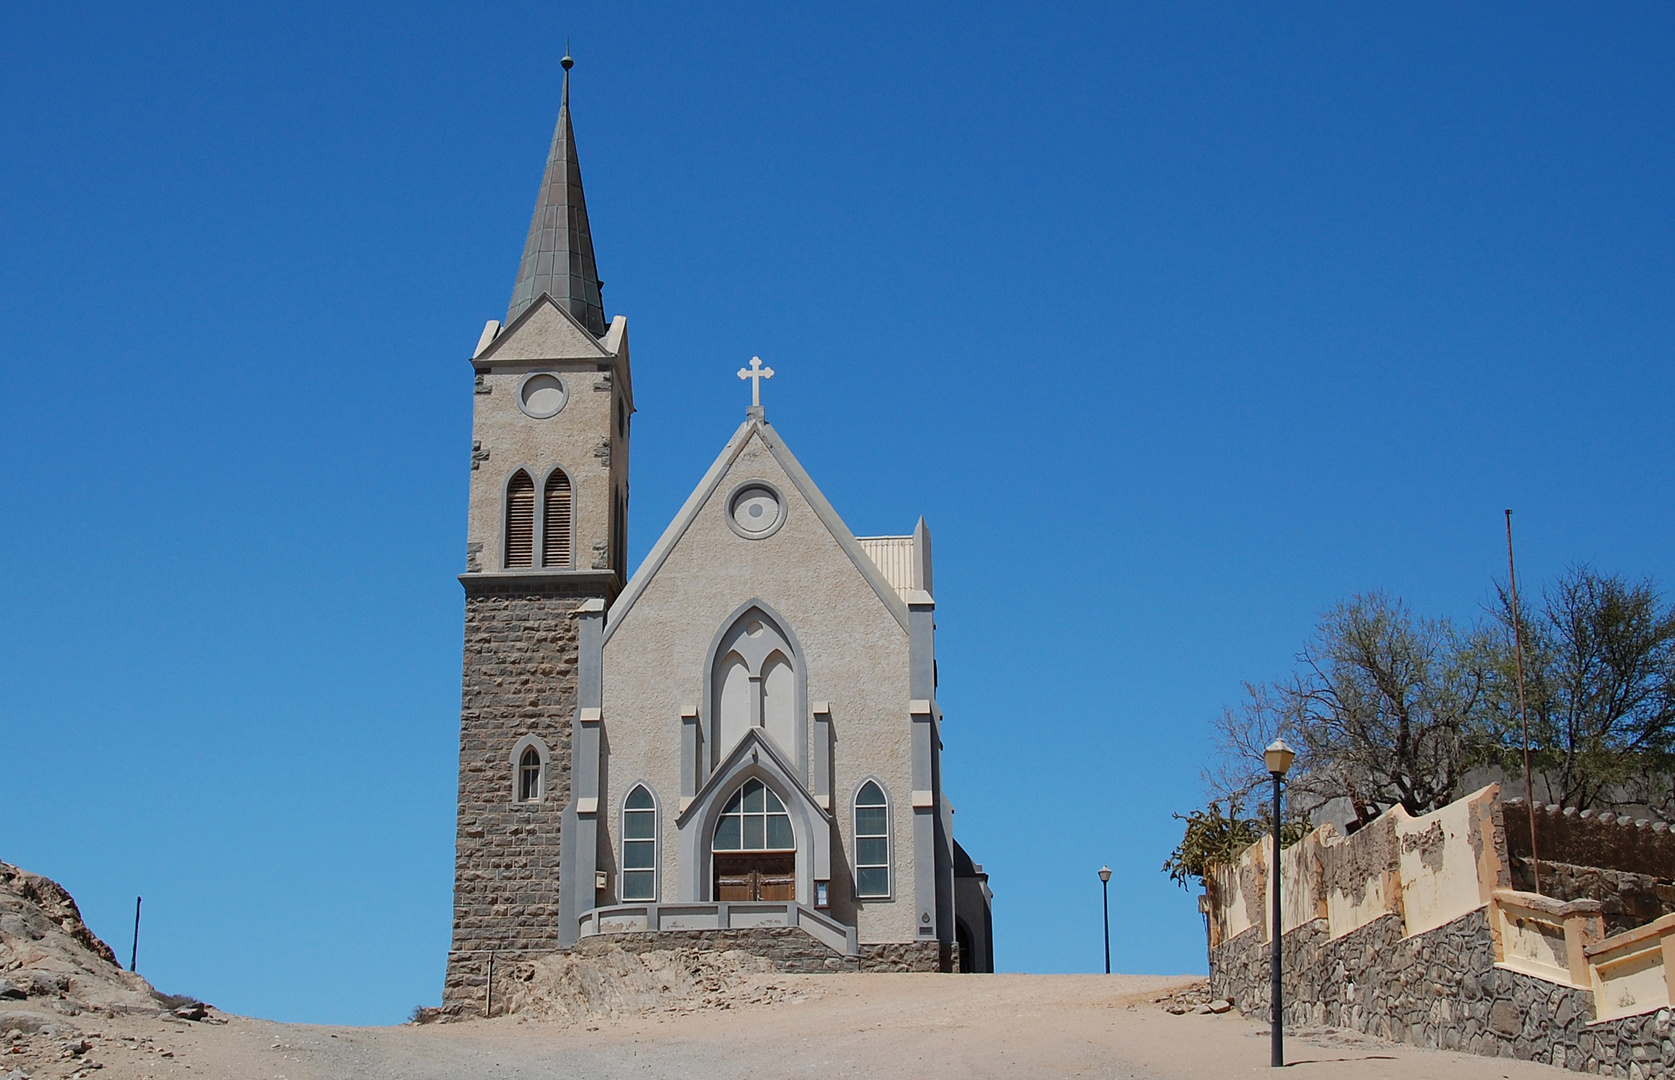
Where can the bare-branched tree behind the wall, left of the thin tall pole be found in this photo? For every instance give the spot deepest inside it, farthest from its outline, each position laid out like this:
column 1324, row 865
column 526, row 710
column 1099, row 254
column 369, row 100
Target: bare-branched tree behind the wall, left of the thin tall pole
column 1381, row 712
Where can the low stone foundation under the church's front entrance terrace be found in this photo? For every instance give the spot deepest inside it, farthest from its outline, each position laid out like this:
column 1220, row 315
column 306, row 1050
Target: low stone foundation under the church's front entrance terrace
column 790, row 950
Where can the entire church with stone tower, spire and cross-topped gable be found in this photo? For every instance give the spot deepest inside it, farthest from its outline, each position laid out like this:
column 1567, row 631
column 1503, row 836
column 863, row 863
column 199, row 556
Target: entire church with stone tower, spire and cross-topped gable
column 736, row 746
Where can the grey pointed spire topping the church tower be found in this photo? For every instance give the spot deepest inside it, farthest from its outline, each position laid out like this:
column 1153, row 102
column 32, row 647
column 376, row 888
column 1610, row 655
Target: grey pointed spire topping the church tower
column 559, row 255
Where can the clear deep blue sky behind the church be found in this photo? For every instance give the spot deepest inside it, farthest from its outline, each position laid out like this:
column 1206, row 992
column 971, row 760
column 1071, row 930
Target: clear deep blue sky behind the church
column 1177, row 326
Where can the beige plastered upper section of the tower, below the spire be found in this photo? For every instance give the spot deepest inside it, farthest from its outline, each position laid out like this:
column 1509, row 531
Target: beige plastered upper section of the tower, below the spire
column 512, row 438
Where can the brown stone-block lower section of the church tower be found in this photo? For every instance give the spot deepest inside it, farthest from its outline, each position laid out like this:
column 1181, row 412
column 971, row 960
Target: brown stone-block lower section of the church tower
column 520, row 679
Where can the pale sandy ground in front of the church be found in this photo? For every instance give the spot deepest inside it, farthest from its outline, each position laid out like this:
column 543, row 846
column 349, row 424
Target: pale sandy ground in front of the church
column 837, row 1026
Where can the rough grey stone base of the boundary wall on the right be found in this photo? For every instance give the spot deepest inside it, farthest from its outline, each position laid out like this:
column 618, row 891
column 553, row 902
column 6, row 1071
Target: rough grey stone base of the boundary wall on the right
column 1440, row 990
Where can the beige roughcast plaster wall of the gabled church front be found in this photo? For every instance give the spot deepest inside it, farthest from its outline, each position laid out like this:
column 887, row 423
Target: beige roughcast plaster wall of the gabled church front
column 857, row 659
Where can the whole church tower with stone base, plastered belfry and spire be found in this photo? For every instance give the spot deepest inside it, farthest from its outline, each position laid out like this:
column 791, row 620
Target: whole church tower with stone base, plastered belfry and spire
column 545, row 555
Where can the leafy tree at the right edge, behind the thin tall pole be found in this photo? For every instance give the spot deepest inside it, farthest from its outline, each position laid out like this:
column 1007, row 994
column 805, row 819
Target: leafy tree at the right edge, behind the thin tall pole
column 1600, row 691
